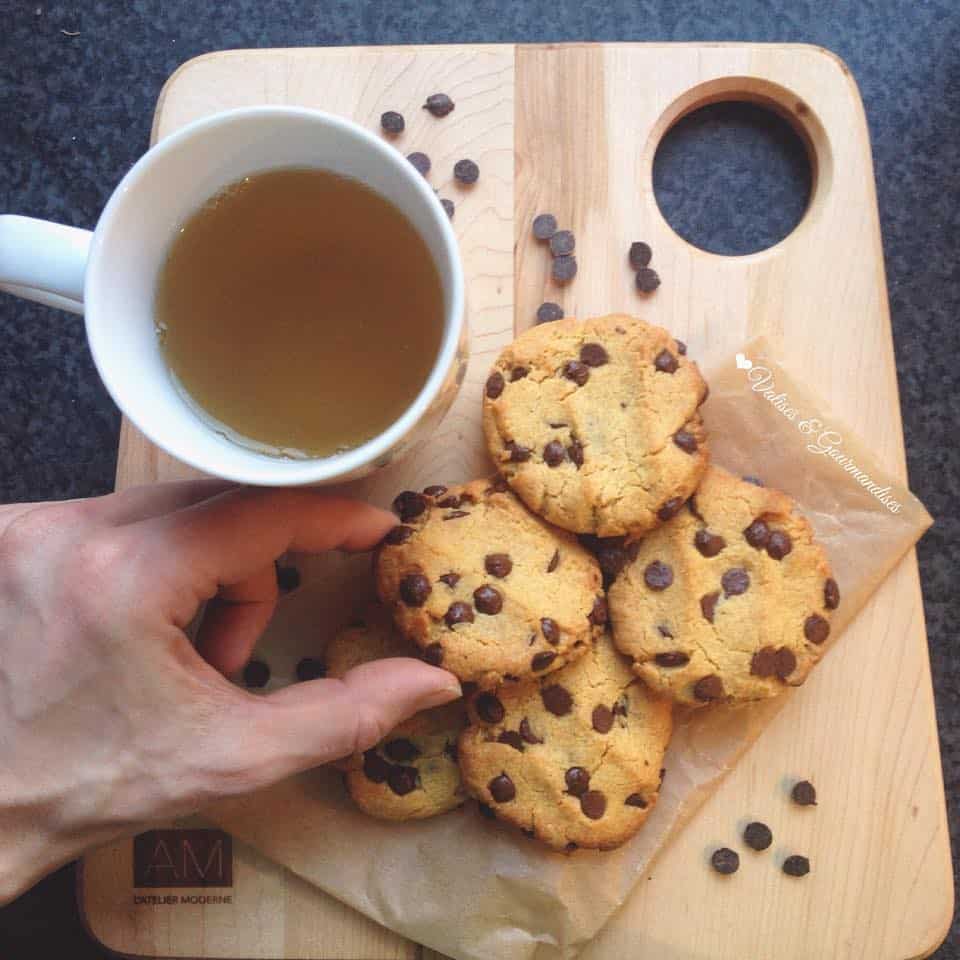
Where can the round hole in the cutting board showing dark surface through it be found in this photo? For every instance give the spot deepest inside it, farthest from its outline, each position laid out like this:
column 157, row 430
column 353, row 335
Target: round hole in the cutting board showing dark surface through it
column 732, row 178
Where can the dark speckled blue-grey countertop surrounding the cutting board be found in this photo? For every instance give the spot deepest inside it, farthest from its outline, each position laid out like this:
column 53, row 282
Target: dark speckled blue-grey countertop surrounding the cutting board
column 75, row 112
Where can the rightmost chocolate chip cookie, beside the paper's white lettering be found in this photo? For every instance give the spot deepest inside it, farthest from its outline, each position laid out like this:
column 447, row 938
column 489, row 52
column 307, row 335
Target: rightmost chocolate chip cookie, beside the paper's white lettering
column 731, row 600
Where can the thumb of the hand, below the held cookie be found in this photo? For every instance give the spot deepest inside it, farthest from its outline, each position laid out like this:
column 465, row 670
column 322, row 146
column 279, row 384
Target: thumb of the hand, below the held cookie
column 311, row 723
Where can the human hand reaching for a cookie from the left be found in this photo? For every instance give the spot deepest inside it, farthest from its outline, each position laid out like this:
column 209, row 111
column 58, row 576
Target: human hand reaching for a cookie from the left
column 110, row 717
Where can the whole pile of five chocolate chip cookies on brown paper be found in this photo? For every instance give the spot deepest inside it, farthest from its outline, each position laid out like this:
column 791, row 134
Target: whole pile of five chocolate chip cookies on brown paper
column 605, row 573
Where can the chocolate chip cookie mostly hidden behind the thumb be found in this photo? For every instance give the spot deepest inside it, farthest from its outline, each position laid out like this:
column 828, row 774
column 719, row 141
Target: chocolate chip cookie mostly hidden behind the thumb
column 412, row 773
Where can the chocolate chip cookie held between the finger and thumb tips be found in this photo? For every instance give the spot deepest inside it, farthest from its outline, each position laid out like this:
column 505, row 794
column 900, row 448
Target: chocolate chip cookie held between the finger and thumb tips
column 485, row 588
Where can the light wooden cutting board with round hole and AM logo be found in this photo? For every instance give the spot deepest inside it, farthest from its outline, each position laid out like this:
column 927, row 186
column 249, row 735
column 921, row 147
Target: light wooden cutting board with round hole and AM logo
column 573, row 129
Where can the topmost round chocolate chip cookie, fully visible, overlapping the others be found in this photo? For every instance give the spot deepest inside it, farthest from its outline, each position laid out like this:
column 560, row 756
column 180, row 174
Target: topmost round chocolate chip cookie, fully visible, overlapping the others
column 594, row 424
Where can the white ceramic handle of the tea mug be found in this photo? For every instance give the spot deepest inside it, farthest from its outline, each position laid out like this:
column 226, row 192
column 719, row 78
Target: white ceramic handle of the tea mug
column 43, row 261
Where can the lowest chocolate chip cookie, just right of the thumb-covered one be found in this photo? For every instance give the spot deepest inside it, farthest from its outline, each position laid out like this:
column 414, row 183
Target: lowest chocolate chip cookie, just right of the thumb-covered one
column 575, row 757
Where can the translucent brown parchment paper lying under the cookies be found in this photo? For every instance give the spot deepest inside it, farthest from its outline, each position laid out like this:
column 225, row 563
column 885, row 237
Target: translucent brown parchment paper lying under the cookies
column 470, row 888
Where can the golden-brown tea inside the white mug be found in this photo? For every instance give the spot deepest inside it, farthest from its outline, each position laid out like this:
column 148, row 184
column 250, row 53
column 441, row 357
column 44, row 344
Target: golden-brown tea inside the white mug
column 300, row 310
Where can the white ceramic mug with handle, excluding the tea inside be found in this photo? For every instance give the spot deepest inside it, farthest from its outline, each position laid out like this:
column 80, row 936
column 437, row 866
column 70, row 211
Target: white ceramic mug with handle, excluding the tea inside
column 110, row 276
